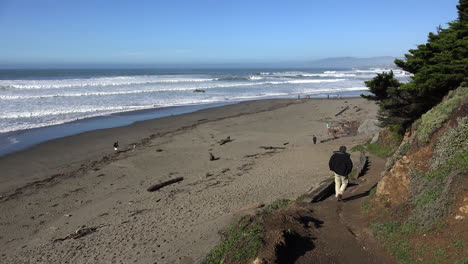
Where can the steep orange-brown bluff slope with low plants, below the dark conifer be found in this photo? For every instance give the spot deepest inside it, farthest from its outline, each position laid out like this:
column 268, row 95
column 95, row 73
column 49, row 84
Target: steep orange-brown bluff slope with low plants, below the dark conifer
column 420, row 205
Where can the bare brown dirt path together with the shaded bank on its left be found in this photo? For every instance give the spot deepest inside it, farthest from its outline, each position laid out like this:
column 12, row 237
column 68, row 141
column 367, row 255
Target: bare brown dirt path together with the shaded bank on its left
column 327, row 231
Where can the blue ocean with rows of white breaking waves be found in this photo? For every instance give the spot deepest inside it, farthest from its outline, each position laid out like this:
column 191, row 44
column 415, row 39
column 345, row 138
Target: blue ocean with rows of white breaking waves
column 36, row 105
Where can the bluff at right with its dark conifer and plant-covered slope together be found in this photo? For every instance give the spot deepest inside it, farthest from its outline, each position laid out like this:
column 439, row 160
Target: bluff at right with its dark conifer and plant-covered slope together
column 425, row 228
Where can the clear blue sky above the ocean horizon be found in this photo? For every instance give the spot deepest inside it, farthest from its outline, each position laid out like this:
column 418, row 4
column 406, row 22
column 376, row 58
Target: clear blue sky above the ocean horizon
column 41, row 32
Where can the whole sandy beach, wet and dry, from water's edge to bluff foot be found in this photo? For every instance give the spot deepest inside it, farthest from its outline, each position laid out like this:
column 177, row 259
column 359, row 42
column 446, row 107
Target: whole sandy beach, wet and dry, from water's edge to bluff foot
column 53, row 189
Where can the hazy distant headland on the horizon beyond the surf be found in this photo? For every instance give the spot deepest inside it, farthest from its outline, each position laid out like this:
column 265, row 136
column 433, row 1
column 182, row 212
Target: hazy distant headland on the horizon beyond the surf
column 351, row 62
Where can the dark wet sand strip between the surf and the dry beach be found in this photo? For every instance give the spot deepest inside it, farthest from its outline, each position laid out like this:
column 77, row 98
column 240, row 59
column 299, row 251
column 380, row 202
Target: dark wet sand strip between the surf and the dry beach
column 49, row 157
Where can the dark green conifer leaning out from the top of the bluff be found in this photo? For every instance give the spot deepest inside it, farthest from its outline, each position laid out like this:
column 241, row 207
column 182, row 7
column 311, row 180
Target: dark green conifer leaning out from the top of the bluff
column 438, row 67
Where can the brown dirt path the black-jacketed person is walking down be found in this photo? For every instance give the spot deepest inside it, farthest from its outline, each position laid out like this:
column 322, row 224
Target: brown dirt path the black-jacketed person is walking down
column 342, row 234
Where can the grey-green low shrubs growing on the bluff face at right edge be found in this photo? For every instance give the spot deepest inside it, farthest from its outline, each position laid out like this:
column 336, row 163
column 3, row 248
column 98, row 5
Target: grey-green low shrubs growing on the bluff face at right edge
column 431, row 192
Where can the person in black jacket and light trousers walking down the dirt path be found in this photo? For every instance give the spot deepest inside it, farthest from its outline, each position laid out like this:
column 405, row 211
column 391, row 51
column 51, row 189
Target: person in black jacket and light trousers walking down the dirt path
column 341, row 165
